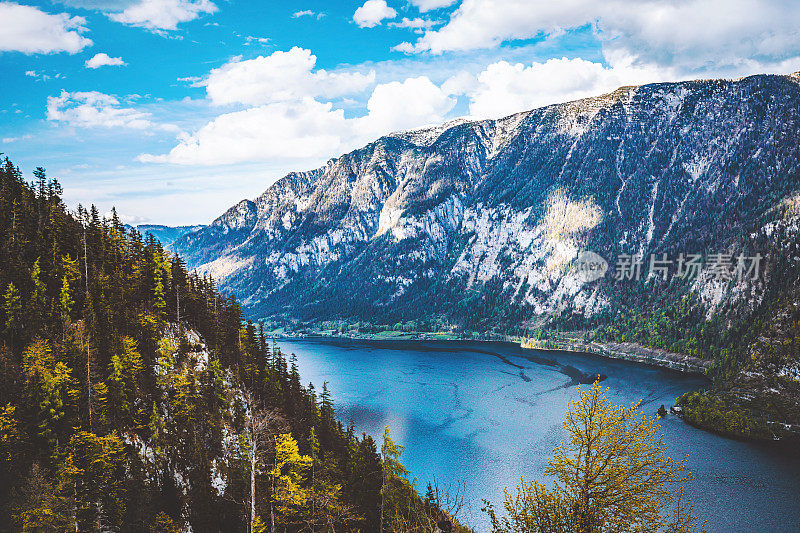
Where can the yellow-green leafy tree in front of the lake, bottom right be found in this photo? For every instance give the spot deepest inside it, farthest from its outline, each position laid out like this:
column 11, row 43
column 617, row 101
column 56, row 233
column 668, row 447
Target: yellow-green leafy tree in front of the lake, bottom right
column 612, row 474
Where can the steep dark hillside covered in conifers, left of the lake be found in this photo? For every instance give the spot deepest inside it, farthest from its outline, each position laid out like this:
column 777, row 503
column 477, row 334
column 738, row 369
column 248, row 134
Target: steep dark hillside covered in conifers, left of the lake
column 134, row 398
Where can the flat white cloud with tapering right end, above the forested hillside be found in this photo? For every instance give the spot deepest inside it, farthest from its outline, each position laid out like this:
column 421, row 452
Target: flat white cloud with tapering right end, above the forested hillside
column 94, row 109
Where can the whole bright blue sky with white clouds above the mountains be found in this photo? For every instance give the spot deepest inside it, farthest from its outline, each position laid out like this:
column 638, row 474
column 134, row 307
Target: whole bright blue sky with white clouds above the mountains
column 173, row 110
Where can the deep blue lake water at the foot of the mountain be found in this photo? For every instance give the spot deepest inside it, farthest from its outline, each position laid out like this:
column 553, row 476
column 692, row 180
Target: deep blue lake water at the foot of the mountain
column 484, row 414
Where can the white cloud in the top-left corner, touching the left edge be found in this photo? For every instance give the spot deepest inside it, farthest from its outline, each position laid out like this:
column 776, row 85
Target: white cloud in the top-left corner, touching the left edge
column 29, row 30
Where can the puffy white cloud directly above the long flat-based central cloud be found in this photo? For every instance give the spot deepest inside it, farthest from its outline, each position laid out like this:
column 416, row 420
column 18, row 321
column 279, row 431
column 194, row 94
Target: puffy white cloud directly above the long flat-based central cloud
column 279, row 77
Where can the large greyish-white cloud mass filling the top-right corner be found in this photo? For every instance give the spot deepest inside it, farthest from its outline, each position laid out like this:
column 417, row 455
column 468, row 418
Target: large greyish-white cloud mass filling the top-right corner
column 691, row 34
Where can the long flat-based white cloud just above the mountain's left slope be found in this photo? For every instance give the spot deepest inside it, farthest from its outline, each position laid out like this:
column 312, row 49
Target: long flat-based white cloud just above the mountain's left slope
column 308, row 129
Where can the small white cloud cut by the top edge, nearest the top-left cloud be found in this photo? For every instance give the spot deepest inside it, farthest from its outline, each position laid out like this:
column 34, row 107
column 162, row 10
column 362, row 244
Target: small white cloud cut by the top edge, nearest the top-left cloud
column 163, row 14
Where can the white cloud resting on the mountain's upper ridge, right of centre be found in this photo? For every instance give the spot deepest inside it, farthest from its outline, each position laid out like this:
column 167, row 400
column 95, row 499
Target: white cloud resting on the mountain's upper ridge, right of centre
column 504, row 88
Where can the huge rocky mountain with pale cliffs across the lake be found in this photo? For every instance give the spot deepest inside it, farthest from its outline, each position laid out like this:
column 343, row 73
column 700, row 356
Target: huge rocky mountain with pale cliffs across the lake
column 478, row 224
